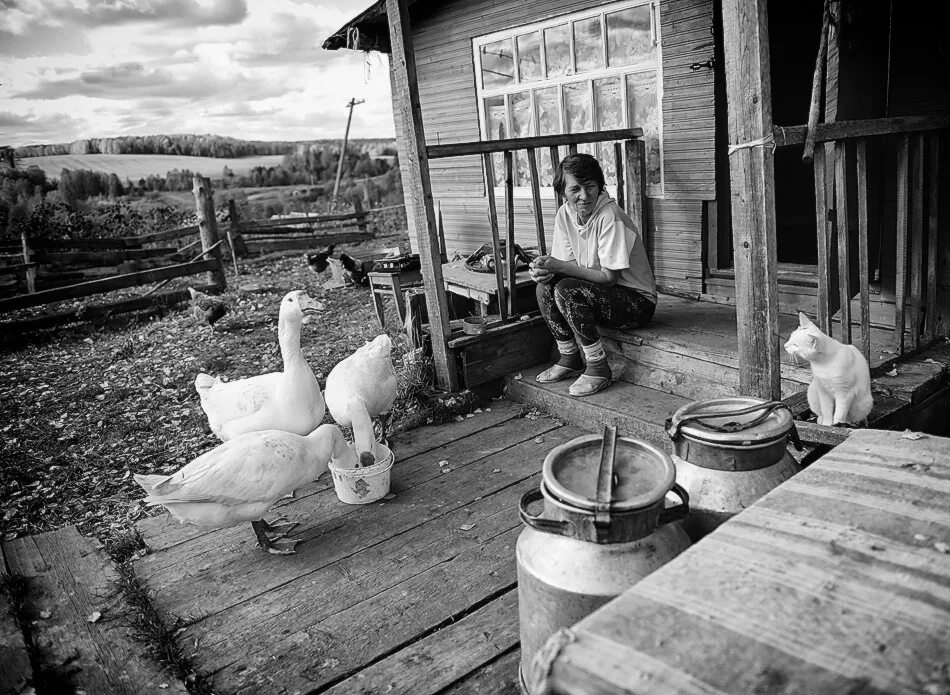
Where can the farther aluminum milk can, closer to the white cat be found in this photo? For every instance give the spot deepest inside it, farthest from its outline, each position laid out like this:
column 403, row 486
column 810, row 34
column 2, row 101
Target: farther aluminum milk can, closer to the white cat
column 729, row 452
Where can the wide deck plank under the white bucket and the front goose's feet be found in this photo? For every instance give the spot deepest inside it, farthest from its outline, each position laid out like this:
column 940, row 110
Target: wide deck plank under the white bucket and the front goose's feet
column 332, row 530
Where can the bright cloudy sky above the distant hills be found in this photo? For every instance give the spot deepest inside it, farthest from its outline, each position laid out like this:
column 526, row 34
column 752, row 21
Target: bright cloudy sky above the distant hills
column 250, row 69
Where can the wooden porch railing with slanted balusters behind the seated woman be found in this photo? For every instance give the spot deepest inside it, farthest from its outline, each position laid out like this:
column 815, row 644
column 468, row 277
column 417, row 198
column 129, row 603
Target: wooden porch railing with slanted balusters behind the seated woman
column 628, row 156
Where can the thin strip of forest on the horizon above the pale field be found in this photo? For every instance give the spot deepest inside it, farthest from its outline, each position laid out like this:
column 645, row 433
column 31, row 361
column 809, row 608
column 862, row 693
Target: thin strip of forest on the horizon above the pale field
column 188, row 145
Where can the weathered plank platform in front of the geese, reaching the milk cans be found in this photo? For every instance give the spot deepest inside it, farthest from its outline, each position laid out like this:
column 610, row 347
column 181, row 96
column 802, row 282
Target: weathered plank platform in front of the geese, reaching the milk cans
column 412, row 594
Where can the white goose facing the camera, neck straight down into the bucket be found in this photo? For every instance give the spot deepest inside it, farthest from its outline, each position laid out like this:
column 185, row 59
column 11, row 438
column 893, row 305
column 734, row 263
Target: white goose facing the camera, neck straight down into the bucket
column 361, row 387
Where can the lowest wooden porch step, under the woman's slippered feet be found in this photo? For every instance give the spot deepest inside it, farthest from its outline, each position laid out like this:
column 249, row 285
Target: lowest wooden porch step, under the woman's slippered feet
column 637, row 411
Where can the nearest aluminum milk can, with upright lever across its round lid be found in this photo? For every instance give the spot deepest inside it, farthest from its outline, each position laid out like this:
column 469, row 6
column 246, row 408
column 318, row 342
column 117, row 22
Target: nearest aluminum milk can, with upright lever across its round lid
column 603, row 527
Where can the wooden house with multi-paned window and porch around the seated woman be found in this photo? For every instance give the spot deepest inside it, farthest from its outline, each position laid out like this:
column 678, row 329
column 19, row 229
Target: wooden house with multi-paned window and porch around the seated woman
column 782, row 157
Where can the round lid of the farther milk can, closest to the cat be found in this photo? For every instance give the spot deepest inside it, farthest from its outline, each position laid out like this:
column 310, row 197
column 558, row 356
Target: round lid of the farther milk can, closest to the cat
column 731, row 421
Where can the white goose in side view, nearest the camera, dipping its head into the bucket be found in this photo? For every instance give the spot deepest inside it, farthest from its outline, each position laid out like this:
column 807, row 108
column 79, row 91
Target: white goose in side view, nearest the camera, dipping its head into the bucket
column 241, row 479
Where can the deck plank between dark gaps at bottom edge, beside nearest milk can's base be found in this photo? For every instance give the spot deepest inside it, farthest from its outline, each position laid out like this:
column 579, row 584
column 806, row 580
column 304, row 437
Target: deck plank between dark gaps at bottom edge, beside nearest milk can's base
column 444, row 657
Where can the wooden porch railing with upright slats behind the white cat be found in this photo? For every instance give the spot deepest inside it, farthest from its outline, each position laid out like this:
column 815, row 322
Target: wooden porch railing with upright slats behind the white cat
column 916, row 177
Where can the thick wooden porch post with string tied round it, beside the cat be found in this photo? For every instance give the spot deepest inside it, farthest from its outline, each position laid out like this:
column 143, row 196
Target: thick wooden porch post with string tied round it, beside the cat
column 752, row 176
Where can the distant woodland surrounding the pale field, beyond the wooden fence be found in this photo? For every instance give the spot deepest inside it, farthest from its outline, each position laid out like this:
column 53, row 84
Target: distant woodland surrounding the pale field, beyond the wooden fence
column 31, row 202
